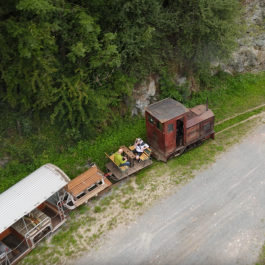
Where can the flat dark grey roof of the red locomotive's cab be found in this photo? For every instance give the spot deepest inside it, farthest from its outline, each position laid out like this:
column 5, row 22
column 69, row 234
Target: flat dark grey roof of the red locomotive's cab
column 166, row 109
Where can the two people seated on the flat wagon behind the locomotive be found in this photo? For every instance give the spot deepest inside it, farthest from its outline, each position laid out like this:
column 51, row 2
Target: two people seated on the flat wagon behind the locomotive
column 139, row 146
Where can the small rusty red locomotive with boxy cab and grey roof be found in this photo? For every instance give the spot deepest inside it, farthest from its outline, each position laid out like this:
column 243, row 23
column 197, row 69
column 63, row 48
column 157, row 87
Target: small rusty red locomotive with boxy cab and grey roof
column 171, row 128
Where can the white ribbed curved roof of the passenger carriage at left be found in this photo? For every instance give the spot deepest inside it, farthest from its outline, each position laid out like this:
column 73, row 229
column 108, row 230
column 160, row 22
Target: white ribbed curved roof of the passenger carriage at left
column 30, row 192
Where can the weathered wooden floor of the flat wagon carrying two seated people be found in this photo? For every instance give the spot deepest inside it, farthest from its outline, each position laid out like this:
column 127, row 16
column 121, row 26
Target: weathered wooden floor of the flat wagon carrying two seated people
column 137, row 166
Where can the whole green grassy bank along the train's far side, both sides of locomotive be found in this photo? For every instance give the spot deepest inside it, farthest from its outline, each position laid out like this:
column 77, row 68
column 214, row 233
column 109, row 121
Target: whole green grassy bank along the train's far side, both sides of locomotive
column 227, row 97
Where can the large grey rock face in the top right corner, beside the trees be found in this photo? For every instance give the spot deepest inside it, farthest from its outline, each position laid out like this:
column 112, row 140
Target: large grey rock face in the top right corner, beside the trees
column 250, row 56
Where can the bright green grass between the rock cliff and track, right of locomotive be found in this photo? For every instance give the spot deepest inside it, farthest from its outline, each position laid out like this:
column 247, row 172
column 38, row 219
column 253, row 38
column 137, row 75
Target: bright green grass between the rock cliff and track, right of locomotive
column 234, row 95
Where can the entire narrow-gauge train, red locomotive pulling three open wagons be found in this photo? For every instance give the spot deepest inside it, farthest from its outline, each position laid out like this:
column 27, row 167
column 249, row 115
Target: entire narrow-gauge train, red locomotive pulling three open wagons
column 41, row 202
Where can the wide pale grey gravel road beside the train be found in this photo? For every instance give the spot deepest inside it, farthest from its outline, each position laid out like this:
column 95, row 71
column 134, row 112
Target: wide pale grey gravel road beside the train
column 218, row 218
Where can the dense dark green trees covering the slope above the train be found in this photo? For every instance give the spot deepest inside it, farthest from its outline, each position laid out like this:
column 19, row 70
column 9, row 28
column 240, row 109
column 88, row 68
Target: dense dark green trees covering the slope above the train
column 77, row 61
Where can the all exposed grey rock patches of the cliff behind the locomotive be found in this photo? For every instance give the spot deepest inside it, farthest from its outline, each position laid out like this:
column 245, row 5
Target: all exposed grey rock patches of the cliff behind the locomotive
column 250, row 57
